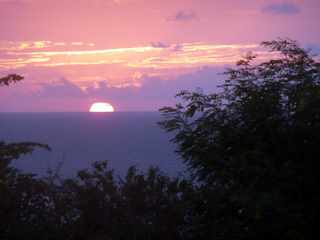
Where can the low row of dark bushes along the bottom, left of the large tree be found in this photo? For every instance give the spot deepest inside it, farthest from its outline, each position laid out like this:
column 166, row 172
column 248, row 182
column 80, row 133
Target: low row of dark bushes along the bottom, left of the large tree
column 95, row 205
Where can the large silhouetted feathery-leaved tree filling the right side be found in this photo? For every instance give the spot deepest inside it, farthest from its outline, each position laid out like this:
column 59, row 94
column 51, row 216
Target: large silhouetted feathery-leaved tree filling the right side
column 255, row 146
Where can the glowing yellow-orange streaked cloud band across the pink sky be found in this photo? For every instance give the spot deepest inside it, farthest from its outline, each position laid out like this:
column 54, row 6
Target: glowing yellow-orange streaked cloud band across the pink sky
column 157, row 55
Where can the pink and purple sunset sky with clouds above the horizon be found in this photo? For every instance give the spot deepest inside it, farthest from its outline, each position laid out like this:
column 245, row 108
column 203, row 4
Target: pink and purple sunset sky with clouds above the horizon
column 135, row 54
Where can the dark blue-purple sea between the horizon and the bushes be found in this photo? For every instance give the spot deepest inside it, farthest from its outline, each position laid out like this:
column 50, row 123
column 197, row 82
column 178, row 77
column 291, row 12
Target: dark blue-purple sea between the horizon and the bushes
column 78, row 139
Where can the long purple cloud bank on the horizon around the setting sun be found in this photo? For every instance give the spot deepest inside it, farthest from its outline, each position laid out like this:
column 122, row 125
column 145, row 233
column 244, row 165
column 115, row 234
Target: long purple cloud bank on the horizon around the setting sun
column 63, row 95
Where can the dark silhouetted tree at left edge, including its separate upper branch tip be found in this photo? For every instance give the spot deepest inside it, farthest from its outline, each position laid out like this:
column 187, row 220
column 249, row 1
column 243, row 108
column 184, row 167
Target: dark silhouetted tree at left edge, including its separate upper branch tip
column 22, row 202
